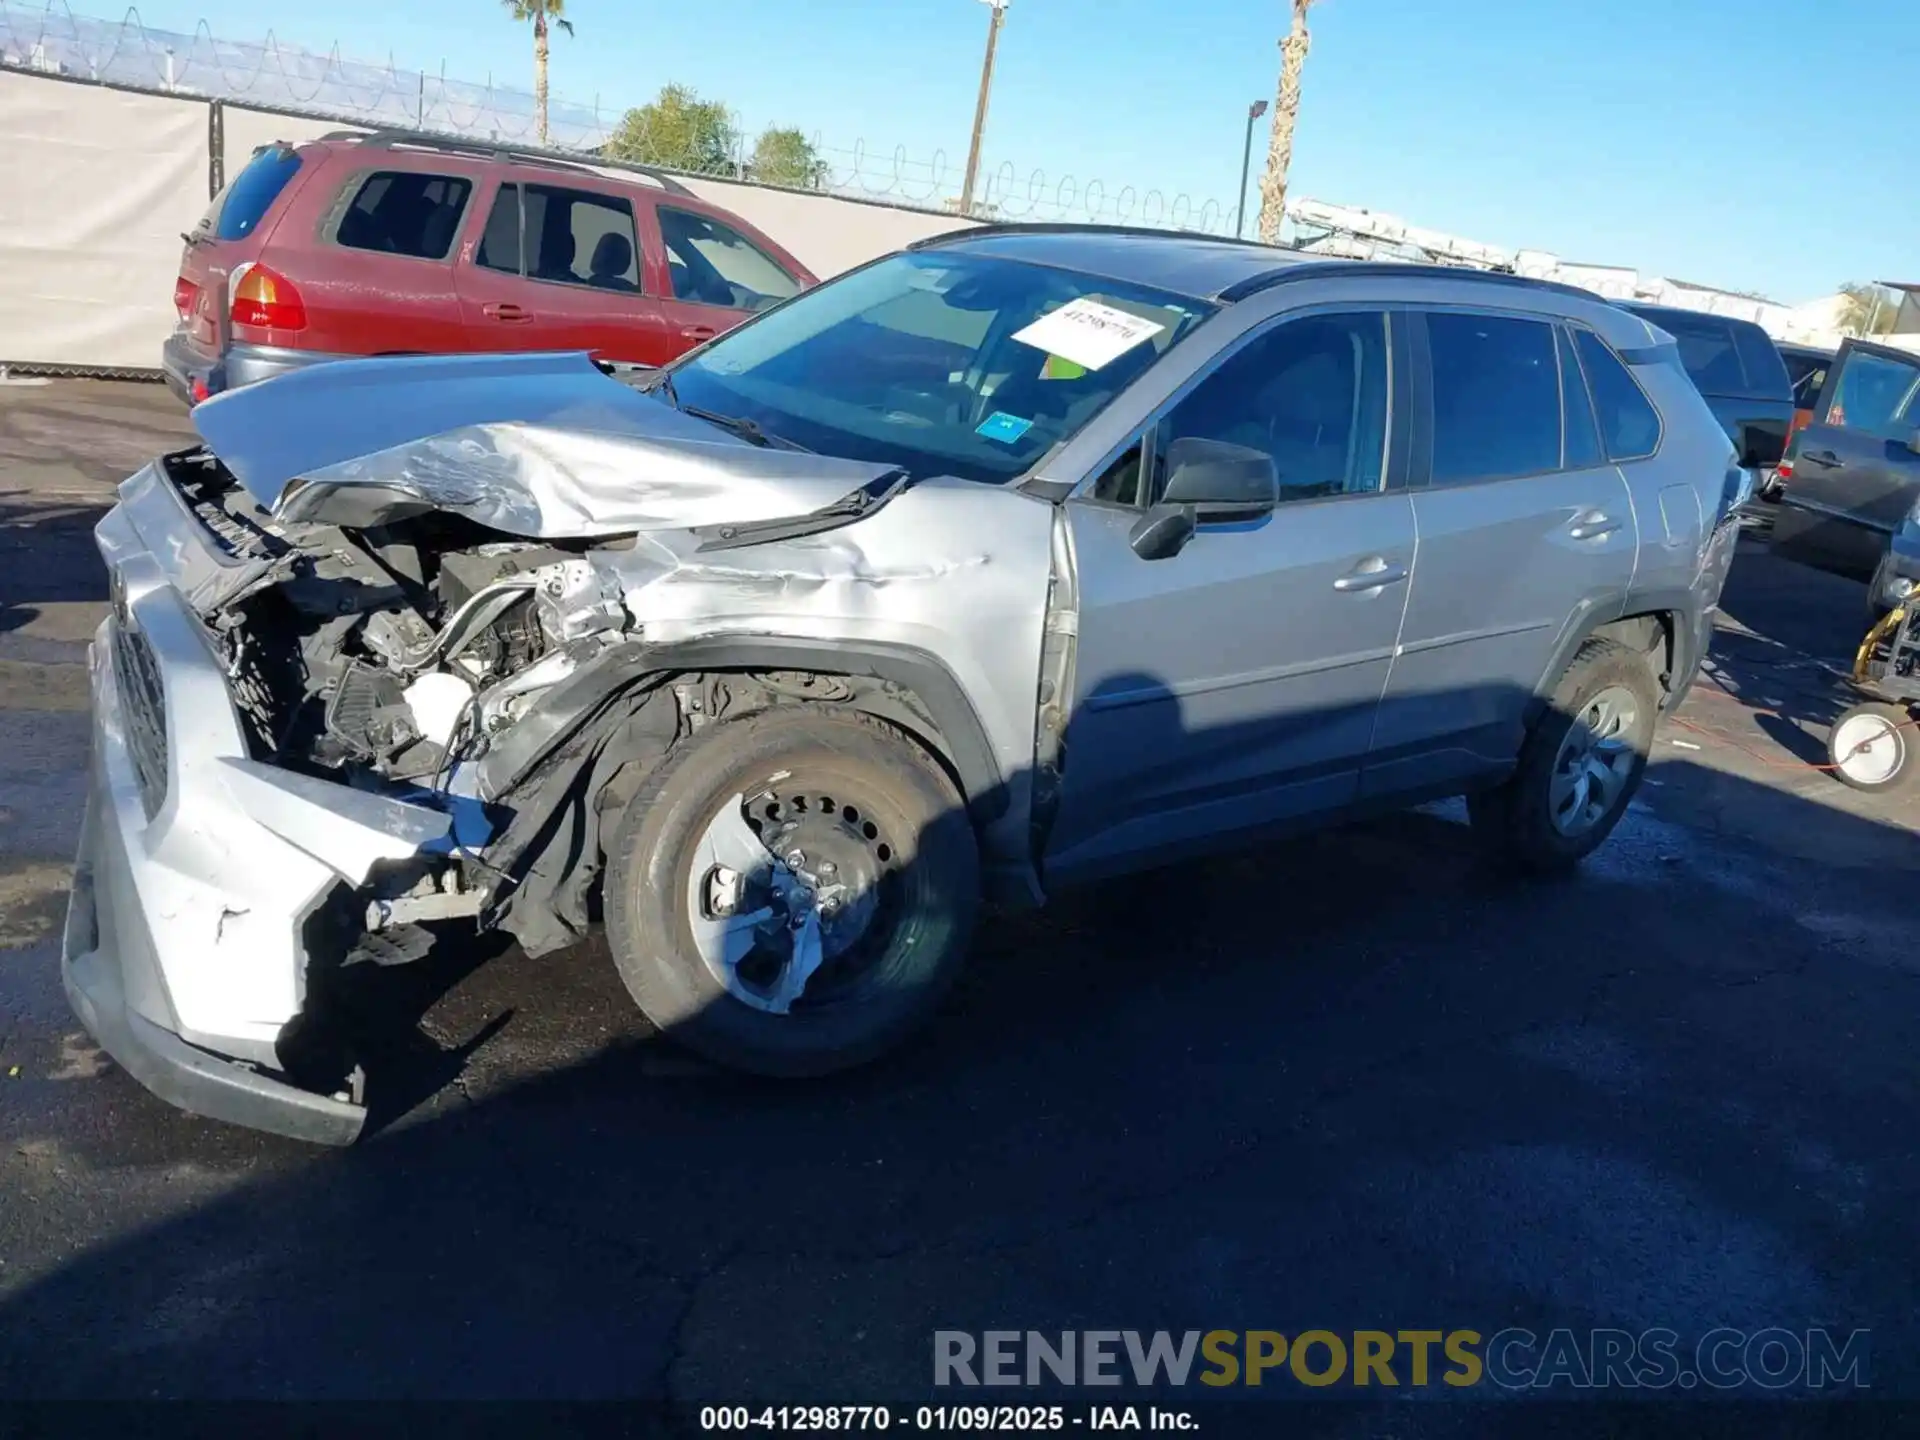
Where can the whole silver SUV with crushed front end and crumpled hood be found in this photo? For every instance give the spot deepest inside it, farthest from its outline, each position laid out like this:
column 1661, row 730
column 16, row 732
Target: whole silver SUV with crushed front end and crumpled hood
column 1022, row 558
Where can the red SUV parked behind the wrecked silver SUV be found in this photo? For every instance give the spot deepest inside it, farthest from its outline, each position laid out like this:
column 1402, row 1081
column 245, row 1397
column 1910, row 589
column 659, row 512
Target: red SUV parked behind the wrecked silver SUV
column 404, row 245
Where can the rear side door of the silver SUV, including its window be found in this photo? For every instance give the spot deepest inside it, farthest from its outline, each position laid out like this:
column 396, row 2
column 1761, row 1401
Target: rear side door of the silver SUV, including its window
column 1525, row 531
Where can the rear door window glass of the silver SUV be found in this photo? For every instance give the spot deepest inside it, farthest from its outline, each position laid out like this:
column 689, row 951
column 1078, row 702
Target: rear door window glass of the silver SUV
column 1497, row 398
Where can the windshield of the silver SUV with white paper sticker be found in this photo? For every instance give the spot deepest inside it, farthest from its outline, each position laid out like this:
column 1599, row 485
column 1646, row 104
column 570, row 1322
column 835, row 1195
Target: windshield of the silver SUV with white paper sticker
column 938, row 362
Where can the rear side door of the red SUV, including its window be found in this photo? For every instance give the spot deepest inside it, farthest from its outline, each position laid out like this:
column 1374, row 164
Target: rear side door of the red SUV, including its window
column 558, row 266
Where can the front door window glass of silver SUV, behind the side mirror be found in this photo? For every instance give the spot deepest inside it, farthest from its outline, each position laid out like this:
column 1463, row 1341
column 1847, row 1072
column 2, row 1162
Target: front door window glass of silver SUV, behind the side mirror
column 1310, row 393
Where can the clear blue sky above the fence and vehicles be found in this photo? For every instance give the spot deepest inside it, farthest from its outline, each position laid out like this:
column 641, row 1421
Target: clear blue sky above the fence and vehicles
column 1671, row 135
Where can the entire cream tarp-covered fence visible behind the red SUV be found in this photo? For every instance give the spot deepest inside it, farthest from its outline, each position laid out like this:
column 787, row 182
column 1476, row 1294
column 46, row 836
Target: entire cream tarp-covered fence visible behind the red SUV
column 97, row 187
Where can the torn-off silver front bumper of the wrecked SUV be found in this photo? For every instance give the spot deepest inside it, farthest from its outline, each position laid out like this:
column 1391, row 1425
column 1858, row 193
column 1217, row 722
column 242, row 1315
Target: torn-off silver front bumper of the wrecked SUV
column 187, row 948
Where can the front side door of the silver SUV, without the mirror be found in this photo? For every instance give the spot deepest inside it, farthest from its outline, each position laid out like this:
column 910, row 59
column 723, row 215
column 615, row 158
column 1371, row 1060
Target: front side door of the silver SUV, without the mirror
column 1234, row 684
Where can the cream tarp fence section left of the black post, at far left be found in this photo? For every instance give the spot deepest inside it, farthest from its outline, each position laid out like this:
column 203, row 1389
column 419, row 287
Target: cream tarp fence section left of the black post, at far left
column 95, row 191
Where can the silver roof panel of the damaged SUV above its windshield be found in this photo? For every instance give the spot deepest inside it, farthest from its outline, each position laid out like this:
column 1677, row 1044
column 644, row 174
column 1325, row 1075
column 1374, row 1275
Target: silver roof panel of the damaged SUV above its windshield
column 1199, row 266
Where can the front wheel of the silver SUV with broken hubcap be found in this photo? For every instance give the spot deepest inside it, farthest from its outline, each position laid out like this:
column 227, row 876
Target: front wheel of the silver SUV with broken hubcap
column 792, row 894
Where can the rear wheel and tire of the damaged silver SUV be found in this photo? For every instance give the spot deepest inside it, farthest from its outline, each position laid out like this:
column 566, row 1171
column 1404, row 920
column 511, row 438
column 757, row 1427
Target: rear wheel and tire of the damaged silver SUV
column 1579, row 767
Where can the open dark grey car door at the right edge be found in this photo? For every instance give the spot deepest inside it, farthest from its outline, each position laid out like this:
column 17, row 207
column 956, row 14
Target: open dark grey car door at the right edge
column 1854, row 473
